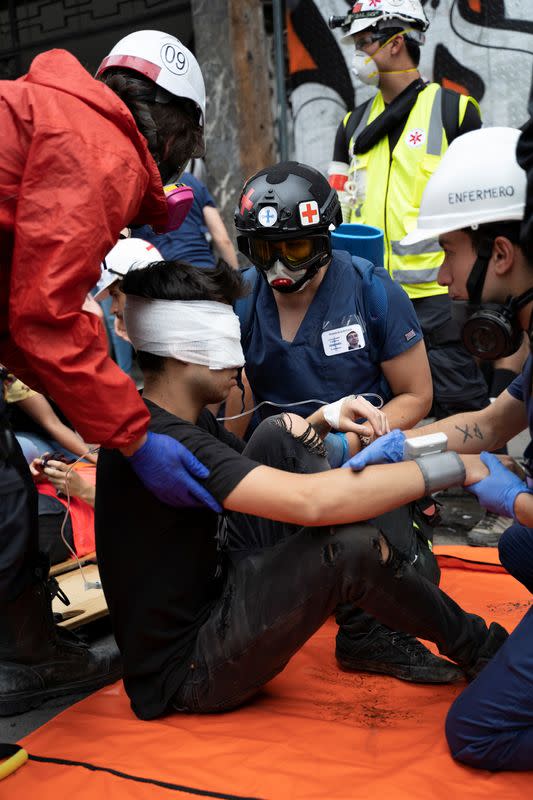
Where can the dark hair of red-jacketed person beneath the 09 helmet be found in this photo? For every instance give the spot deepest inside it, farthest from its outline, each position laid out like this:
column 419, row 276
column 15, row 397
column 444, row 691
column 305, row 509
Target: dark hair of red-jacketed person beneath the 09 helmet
column 172, row 130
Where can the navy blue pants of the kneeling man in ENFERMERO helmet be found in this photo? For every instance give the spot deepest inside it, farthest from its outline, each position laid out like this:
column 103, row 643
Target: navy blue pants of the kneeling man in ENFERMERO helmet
column 490, row 725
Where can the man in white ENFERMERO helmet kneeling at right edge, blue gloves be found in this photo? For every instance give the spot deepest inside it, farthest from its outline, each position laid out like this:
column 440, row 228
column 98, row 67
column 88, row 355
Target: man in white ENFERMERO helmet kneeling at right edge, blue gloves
column 488, row 269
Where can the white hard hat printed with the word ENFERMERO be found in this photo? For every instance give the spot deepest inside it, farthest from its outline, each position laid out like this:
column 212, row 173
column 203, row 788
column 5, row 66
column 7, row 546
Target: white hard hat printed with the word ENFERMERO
column 478, row 181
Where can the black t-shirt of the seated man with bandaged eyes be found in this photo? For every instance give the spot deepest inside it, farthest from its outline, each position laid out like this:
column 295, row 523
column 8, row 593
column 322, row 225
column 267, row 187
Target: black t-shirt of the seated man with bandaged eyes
column 160, row 566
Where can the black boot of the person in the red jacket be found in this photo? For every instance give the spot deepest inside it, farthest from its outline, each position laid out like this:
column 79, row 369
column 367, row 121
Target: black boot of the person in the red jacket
column 39, row 661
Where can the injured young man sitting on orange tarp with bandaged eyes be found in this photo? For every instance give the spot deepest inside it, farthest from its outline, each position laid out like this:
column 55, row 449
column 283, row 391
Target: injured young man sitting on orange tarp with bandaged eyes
column 207, row 608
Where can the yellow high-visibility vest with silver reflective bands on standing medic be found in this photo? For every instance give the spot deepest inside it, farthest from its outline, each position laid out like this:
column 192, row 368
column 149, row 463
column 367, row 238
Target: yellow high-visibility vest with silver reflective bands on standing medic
column 389, row 187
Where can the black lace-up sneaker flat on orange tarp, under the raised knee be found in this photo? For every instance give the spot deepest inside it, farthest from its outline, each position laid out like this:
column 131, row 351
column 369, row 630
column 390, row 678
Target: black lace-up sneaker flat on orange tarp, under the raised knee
column 400, row 655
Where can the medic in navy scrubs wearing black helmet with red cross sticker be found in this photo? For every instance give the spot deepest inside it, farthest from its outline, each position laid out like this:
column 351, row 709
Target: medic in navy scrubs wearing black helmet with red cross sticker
column 308, row 300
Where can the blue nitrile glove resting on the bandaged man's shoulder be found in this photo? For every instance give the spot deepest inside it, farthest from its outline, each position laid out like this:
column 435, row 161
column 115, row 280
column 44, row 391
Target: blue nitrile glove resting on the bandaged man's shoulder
column 169, row 471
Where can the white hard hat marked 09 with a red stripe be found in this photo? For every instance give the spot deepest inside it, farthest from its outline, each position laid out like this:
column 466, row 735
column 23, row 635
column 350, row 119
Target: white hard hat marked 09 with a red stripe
column 162, row 58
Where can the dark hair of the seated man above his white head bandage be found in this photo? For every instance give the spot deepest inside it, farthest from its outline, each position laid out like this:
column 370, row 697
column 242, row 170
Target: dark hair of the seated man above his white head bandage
column 176, row 280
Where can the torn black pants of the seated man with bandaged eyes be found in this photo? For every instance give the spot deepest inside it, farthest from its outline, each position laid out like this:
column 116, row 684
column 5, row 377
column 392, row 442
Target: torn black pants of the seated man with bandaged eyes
column 276, row 596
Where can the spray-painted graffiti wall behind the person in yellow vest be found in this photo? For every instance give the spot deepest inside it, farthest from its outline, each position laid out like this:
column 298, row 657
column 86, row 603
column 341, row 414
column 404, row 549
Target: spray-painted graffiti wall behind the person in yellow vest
column 480, row 47
